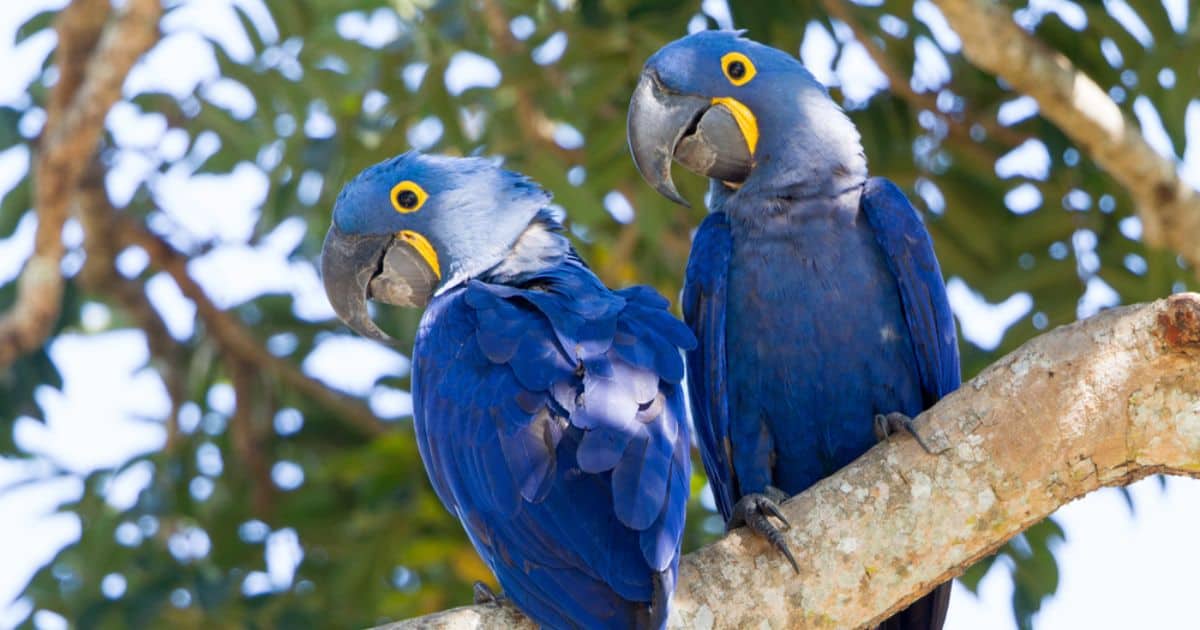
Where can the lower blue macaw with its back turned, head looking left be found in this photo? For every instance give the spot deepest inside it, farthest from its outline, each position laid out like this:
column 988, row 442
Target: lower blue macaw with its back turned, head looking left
column 548, row 409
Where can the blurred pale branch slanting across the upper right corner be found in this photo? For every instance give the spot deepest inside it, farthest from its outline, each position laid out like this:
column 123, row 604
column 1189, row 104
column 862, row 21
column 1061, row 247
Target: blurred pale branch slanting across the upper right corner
column 1169, row 208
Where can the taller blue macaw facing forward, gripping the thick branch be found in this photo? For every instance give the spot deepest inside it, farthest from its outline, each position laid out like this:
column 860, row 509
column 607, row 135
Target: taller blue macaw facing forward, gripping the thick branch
column 813, row 289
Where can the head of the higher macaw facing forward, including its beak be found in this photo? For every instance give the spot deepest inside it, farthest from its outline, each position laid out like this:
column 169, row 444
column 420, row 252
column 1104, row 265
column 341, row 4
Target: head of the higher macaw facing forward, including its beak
column 735, row 111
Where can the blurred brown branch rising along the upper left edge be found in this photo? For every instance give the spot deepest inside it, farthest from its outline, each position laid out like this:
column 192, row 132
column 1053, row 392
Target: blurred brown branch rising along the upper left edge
column 75, row 125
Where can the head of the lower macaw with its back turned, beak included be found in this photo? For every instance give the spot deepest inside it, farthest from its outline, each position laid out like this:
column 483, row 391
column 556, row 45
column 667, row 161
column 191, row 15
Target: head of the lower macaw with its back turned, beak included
column 415, row 226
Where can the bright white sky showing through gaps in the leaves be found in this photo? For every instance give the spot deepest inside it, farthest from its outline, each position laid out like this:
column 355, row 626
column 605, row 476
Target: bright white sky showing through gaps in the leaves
column 1119, row 571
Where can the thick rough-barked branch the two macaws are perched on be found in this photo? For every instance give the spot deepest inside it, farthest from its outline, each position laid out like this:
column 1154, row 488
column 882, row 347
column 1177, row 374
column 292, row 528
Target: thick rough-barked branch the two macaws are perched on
column 1100, row 403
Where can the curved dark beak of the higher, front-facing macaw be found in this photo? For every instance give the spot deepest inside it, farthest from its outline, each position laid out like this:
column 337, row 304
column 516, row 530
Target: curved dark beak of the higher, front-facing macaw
column 701, row 134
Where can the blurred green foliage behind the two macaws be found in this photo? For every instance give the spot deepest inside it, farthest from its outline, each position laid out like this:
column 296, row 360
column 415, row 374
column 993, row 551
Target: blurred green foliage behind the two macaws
column 331, row 99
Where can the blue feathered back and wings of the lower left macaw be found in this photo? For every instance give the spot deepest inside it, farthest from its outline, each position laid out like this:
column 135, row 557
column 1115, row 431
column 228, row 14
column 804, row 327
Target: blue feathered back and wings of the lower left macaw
column 551, row 422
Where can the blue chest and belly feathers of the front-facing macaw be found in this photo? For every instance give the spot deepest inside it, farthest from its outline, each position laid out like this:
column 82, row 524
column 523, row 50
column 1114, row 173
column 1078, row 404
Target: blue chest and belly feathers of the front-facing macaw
column 817, row 344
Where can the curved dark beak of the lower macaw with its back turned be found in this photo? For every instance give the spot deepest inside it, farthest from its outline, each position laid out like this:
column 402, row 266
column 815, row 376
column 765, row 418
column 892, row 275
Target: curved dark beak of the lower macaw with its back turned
column 356, row 268
